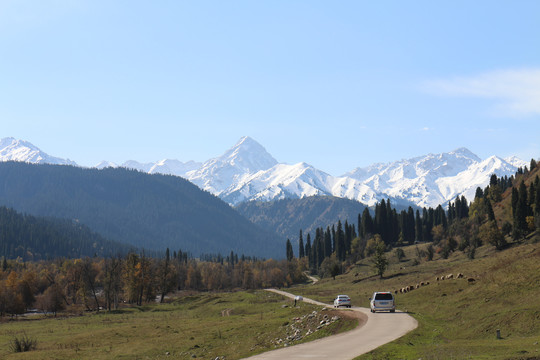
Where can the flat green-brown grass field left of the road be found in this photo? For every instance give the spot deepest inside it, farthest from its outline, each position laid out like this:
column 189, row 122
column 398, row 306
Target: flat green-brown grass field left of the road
column 206, row 325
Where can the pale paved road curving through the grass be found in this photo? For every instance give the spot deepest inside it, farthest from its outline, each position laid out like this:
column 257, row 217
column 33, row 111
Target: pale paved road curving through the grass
column 379, row 329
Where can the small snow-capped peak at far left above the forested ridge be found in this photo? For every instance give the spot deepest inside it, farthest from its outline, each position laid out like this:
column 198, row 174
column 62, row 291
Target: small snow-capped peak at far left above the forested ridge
column 18, row 150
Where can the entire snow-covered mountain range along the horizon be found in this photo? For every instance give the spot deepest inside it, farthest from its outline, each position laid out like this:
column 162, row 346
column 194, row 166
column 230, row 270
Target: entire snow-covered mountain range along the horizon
column 247, row 172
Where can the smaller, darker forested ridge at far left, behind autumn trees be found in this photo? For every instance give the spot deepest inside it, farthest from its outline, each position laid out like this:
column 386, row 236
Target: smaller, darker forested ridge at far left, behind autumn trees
column 37, row 238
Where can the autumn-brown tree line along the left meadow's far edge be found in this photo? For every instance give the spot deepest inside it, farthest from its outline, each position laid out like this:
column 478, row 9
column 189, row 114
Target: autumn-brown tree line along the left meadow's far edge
column 107, row 283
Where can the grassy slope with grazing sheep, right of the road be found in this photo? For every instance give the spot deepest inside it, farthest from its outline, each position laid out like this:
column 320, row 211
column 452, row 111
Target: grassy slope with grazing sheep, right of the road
column 456, row 319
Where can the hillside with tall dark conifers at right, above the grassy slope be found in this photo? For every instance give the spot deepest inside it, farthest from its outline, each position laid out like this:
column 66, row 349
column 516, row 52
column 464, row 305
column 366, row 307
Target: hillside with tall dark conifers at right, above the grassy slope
column 508, row 209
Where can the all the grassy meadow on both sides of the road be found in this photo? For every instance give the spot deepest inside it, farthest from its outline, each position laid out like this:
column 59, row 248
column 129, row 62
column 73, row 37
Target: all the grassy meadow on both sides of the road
column 457, row 319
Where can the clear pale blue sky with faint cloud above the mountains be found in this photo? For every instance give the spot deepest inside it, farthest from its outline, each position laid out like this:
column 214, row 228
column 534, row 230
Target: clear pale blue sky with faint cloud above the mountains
column 337, row 84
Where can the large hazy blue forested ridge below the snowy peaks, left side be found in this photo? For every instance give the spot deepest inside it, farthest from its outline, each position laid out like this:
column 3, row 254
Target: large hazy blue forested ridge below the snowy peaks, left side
column 150, row 211
